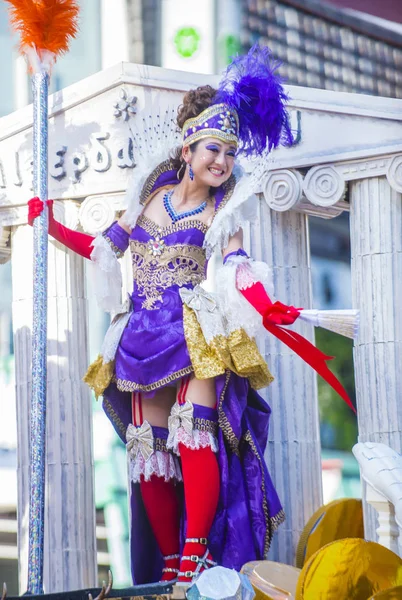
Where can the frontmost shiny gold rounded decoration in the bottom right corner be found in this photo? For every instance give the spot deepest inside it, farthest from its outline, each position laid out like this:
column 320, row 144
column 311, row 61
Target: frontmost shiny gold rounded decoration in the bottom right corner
column 349, row 569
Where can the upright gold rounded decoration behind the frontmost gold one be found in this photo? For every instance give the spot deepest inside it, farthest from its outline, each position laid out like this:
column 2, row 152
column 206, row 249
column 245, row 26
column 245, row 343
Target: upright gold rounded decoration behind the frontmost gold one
column 334, row 521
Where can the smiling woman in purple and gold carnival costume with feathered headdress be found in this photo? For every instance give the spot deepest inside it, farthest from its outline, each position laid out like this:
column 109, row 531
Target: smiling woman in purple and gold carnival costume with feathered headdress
column 180, row 370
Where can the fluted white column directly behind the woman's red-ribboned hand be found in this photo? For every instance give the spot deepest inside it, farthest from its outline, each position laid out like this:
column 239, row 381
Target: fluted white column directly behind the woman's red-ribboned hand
column 293, row 452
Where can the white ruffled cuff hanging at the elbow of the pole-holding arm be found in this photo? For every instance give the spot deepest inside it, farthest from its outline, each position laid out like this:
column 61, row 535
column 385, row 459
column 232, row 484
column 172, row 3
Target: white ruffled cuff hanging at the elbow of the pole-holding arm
column 107, row 275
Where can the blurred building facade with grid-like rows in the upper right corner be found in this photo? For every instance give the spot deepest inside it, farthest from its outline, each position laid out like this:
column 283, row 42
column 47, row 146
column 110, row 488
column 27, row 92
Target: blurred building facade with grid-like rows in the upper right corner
column 324, row 46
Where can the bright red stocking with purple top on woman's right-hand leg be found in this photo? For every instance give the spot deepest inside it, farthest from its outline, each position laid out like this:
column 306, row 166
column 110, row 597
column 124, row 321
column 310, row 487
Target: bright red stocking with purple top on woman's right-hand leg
column 201, row 489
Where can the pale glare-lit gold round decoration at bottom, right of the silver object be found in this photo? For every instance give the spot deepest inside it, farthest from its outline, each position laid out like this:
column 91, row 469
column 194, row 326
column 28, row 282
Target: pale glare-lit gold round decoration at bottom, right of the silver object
column 272, row 581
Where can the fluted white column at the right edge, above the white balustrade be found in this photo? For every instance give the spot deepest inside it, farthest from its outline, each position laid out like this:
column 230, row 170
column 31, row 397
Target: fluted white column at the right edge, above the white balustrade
column 376, row 247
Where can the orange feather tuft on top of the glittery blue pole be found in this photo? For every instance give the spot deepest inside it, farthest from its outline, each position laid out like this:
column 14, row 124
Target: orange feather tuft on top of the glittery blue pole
column 46, row 25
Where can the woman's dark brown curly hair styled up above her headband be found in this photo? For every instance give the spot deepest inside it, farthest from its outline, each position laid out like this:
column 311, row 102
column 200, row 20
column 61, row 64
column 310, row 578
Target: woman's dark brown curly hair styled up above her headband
column 194, row 102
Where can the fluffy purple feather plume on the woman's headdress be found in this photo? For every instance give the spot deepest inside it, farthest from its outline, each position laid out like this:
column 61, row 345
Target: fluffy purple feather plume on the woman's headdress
column 252, row 87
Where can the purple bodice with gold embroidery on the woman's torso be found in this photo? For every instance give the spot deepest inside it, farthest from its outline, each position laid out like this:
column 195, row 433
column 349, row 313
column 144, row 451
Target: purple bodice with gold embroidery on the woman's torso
column 158, row 265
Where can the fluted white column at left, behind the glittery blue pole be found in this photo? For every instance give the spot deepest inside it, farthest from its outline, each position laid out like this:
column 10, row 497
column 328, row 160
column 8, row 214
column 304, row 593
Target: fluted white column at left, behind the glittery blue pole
column 70, row 552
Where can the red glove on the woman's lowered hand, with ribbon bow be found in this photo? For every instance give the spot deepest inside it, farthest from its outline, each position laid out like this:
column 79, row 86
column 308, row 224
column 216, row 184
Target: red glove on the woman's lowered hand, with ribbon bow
column 273, row 314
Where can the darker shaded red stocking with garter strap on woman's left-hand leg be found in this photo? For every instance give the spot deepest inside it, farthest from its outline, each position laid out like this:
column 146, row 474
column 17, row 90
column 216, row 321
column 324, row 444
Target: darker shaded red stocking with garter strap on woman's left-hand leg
column 162, row 506
